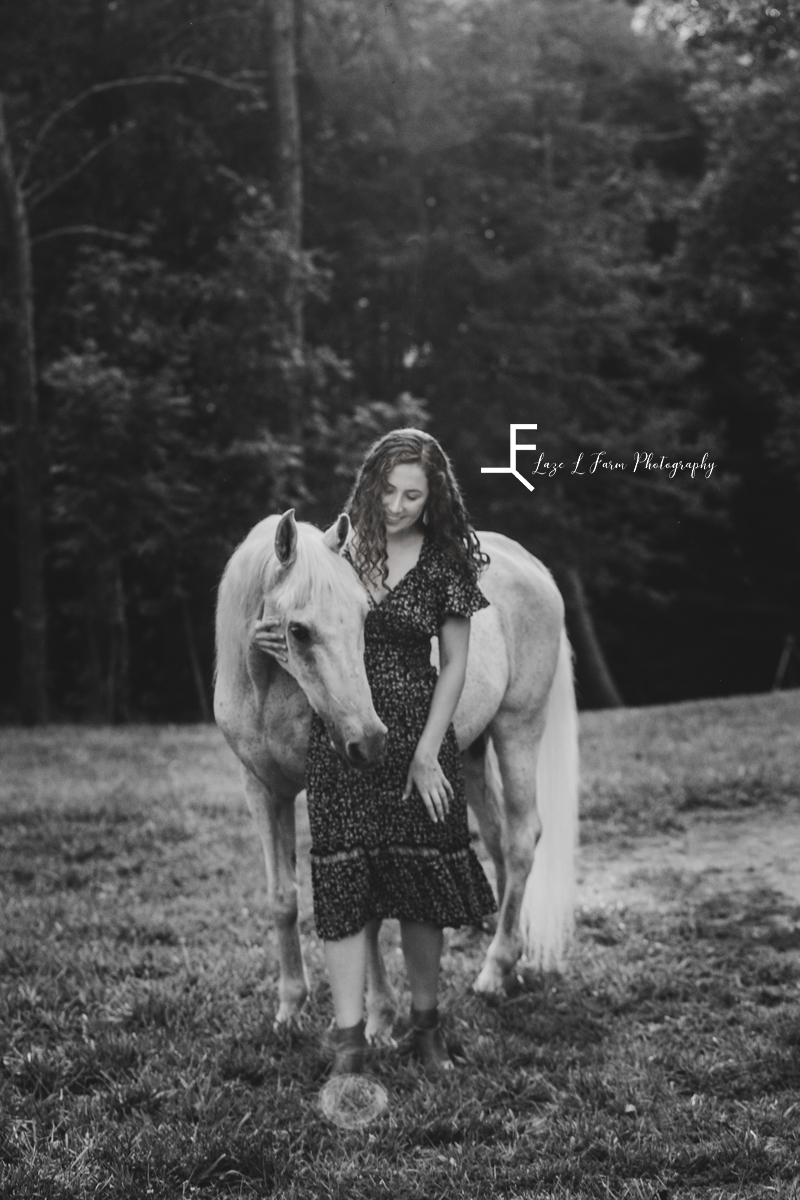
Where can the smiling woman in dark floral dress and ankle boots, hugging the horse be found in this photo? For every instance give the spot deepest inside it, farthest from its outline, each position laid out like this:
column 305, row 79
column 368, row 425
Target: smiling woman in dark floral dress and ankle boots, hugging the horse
column 394, row 842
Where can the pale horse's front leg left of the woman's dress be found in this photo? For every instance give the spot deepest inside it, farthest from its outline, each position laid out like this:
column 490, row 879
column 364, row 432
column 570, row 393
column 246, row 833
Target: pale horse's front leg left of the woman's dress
column 274, row 818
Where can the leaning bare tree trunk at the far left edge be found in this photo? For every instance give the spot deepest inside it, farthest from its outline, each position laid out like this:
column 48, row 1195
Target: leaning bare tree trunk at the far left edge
column 28, row 449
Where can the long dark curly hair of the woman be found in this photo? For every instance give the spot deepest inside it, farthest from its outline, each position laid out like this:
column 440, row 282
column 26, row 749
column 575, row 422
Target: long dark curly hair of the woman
column 448, row 521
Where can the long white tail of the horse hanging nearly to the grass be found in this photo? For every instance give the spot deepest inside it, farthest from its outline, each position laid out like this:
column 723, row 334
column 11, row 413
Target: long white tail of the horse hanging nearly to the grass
column 548, row 914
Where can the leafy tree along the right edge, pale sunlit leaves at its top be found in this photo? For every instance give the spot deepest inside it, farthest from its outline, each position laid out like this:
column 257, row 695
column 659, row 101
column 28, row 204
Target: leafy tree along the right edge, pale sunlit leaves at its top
column 735, row 281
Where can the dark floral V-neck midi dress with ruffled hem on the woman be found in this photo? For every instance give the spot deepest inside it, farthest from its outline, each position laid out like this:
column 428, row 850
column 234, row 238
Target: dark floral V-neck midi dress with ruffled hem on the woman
column 374, row 854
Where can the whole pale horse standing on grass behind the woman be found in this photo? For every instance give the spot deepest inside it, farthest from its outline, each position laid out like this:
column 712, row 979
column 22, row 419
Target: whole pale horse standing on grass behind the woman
column 516, row 724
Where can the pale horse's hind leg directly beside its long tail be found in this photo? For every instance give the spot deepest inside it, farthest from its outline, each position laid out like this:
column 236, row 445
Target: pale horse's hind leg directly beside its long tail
column 518, row 749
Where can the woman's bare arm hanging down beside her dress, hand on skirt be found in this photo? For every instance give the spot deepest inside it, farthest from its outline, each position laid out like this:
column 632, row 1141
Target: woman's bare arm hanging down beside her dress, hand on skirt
column 425, row 772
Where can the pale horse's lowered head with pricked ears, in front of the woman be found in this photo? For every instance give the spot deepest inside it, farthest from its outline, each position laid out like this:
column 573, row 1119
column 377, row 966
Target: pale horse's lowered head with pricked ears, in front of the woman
column 314, row 593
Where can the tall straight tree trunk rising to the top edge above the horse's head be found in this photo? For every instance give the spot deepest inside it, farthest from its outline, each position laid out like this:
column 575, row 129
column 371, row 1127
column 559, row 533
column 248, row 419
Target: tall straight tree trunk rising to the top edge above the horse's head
column 290, row 189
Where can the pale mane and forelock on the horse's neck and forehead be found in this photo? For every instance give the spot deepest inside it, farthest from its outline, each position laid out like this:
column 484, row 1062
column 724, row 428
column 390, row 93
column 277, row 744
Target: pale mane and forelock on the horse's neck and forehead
column 254, row 571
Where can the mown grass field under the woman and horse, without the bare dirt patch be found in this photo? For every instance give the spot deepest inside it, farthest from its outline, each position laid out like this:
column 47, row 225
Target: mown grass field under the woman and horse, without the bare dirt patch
column 137, row 993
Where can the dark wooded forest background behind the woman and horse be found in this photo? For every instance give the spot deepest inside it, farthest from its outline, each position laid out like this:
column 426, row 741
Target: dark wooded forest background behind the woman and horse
column 573, row 213
